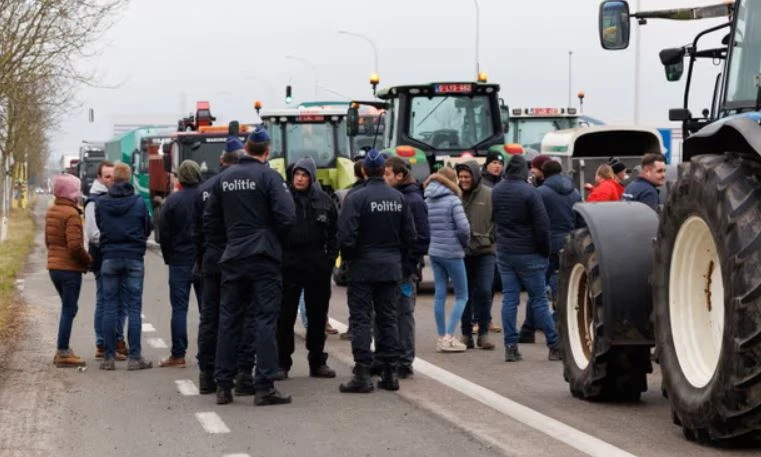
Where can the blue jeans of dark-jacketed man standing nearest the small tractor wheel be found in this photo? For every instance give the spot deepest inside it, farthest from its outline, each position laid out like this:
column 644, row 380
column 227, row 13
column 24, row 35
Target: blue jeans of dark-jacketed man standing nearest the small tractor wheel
column 529, row 270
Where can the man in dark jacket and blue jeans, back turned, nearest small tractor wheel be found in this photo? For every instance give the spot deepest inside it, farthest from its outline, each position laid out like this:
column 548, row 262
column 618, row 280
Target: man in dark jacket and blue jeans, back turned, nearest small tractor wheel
column 523, row 249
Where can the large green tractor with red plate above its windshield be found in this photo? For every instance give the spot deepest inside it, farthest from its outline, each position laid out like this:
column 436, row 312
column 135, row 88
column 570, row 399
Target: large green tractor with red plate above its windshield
column 437, row 124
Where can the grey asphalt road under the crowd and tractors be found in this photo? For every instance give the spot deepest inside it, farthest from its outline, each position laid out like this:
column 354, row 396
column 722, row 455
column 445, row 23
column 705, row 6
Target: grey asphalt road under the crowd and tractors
column 471, row 403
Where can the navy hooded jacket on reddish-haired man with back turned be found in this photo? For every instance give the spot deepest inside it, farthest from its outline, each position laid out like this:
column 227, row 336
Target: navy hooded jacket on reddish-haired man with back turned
column 124, row 223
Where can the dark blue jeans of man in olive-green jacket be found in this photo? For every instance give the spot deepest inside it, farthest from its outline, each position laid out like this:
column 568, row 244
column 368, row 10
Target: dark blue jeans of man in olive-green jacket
column 480, row 271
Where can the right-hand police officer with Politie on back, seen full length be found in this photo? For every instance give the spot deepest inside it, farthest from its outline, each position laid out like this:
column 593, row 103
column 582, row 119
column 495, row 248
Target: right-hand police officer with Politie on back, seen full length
column 376, row 233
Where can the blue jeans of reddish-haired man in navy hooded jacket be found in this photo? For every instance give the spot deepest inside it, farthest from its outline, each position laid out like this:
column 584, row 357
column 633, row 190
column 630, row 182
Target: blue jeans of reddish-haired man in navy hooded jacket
column 122, row 290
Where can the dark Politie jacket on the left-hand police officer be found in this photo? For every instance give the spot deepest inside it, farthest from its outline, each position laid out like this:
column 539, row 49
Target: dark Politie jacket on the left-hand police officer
column 252, row 202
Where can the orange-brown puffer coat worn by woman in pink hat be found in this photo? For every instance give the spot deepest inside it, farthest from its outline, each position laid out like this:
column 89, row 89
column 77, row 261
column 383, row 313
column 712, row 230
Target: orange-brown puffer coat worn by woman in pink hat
column 64, row 237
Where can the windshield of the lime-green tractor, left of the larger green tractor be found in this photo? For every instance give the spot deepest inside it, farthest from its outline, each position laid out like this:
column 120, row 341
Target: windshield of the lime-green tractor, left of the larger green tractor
column 323, row 142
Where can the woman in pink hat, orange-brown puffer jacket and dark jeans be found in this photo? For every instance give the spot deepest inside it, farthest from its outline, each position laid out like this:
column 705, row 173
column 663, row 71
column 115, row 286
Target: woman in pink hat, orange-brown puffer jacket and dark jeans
column 67, row 260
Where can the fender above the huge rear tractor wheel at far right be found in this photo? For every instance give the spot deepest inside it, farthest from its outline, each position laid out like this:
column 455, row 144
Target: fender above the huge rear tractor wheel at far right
column 738, row 134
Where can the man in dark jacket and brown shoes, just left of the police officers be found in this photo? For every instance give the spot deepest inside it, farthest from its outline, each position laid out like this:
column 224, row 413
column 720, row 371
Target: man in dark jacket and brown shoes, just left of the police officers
column 178, row 250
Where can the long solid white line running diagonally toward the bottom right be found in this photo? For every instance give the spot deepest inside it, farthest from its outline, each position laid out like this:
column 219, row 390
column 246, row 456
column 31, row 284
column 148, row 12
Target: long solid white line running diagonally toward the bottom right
column 577, row 439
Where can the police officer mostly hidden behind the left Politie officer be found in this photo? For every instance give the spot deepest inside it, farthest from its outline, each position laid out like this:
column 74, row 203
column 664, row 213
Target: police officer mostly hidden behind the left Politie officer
column 210, row 243
